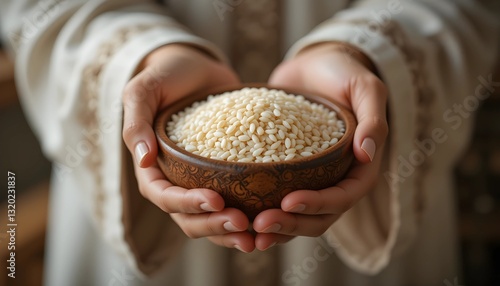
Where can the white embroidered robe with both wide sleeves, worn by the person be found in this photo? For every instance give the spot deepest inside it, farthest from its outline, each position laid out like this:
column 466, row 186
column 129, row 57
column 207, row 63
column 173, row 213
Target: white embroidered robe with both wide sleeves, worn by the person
column 73, row 59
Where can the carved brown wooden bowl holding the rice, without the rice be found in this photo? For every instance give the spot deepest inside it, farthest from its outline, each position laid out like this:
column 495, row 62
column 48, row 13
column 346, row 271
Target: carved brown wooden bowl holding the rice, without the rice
column 254, row 187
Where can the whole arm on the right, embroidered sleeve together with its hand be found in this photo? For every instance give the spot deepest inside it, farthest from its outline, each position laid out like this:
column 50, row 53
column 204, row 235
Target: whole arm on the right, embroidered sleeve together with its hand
column 427, row 55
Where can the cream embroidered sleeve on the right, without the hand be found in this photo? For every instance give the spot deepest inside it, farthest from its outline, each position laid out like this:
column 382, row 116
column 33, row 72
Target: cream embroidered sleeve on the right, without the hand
column 418, row 50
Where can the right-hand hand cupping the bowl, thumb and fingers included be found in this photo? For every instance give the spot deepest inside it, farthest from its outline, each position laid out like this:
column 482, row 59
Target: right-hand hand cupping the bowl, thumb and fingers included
column 346, row 75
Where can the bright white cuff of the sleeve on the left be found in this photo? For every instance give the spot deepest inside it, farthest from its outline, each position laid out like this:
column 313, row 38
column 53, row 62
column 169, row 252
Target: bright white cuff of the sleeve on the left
column 146, row 246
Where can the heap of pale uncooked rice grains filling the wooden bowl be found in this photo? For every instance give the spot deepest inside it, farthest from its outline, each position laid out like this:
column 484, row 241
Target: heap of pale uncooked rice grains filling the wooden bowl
column 255, row 125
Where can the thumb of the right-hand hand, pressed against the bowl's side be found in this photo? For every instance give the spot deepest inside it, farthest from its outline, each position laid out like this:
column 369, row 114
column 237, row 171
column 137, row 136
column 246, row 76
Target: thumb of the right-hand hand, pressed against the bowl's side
column 369, row 96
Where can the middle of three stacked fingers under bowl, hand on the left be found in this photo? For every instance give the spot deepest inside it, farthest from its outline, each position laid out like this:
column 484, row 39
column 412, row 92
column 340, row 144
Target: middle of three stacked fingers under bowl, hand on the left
column 210, row 224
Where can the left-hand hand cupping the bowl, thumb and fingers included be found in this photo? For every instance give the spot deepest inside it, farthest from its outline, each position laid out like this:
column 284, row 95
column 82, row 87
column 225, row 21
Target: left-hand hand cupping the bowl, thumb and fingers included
column 166, row 75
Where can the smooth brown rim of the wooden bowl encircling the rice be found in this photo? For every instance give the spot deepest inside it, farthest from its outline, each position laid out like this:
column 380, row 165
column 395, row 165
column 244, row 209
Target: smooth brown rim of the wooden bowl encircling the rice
column 165, row 114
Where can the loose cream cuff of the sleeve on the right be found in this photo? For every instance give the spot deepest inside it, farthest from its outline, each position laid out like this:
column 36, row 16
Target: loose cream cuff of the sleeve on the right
column 383, row 223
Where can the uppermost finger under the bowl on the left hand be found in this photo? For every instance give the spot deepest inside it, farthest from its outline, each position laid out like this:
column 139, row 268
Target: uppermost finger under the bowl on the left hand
column 173, row 199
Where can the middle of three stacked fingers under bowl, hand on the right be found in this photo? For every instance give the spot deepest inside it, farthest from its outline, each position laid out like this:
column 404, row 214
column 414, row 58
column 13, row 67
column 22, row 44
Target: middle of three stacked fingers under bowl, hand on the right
column 280, row 222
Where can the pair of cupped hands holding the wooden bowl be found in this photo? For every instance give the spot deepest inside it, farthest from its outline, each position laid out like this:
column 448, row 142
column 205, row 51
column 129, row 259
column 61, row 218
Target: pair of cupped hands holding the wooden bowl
column 176, row 70
